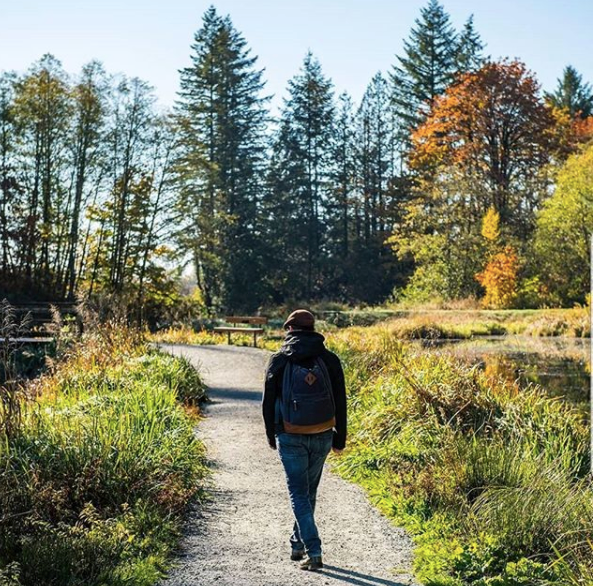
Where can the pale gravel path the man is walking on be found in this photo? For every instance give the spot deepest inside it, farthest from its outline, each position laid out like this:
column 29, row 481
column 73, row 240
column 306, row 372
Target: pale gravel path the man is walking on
column 240, row 538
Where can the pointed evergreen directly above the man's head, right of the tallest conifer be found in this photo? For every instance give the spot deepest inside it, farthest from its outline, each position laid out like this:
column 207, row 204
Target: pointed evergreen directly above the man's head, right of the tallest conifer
column 299, row 180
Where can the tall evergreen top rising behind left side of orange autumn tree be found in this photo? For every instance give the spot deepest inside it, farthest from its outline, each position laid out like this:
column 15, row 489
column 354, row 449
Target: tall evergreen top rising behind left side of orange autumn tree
column 427, row 67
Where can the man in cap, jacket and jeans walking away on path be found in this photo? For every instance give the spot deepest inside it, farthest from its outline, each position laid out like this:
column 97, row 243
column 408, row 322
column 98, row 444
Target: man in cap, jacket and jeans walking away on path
column 304, row 409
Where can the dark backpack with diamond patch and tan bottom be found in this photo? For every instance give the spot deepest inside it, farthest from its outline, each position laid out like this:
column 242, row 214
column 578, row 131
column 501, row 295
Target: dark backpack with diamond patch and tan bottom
column 307, row 403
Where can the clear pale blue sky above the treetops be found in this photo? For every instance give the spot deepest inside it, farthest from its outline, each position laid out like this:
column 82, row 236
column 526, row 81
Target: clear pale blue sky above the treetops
column 353, row 39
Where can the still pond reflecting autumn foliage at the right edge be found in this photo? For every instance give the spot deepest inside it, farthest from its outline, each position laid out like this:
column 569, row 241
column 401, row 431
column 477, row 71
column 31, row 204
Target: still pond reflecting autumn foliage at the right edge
column 560, row 365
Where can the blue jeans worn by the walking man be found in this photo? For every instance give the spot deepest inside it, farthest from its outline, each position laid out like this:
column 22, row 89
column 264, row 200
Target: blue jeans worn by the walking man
column 303, row 456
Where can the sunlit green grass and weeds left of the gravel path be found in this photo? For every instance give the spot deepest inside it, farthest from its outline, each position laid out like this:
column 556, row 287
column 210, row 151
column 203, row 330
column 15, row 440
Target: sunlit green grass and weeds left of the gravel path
column 94, row 482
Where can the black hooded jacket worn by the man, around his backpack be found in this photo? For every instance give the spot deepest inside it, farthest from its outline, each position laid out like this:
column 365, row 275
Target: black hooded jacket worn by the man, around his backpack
column 302, row 347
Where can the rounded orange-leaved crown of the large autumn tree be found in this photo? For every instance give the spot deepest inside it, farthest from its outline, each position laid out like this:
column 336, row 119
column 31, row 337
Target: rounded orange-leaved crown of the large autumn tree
column 490, row 134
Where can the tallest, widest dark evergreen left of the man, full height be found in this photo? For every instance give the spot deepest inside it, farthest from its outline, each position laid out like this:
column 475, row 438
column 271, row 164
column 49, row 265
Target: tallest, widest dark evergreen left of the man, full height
column 221, row 123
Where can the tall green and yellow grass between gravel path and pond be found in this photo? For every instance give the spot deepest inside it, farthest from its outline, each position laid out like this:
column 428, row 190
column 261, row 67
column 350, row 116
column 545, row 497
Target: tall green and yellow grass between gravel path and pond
column 490, row 480
